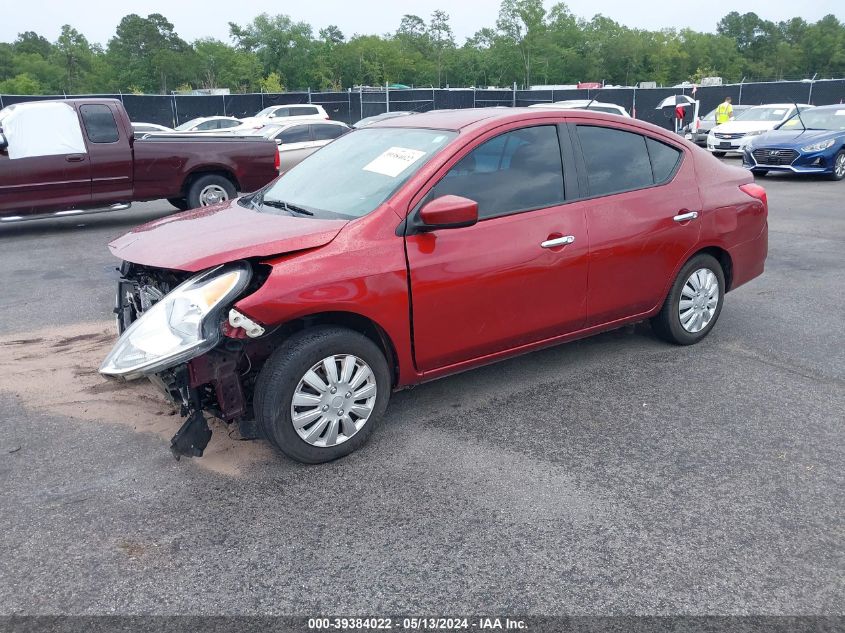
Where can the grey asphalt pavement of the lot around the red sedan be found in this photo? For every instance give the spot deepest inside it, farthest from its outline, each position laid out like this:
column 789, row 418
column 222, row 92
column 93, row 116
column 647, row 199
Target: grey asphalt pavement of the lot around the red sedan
column 614, row 475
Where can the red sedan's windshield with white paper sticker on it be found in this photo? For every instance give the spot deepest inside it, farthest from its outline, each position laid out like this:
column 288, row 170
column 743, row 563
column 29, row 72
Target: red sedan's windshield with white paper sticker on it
column 353, row 175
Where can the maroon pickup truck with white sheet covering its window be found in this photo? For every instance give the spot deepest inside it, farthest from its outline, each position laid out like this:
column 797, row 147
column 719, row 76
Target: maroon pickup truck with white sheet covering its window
column 79, row 155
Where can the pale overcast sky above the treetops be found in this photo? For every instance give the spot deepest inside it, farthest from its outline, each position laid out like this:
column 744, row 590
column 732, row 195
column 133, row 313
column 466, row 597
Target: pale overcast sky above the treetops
column 97, row 19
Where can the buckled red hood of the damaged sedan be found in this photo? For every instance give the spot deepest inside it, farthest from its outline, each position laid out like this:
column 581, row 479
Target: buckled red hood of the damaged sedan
column 202, row 238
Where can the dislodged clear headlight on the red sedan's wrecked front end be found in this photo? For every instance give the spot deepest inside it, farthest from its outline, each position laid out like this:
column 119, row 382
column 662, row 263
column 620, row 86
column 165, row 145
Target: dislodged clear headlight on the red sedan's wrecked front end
column 178, row 327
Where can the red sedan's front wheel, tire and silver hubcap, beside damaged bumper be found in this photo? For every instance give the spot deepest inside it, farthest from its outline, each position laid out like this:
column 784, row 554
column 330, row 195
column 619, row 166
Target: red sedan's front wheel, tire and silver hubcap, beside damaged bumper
column 321, row 392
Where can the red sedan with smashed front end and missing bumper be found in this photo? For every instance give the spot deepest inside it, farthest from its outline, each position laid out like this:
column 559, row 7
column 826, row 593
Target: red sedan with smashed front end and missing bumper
column 423, row 246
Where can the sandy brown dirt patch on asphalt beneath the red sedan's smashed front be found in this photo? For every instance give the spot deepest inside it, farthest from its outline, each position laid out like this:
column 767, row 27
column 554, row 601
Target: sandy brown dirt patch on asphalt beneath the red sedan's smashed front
column 55, row 371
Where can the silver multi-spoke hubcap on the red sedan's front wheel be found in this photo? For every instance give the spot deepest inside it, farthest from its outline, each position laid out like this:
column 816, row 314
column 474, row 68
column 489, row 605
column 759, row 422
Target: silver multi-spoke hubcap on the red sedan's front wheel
column 333, row 400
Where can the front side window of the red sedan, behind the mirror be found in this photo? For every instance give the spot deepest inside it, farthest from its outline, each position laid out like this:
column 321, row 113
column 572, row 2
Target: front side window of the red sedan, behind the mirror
column 516, row 171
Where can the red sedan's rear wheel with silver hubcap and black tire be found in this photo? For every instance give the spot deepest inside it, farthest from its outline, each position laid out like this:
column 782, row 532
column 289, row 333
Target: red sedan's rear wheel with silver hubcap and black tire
column 694, row 302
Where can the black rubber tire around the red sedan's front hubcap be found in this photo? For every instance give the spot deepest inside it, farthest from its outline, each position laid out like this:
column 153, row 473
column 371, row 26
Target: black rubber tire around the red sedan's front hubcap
column 282, row 373
